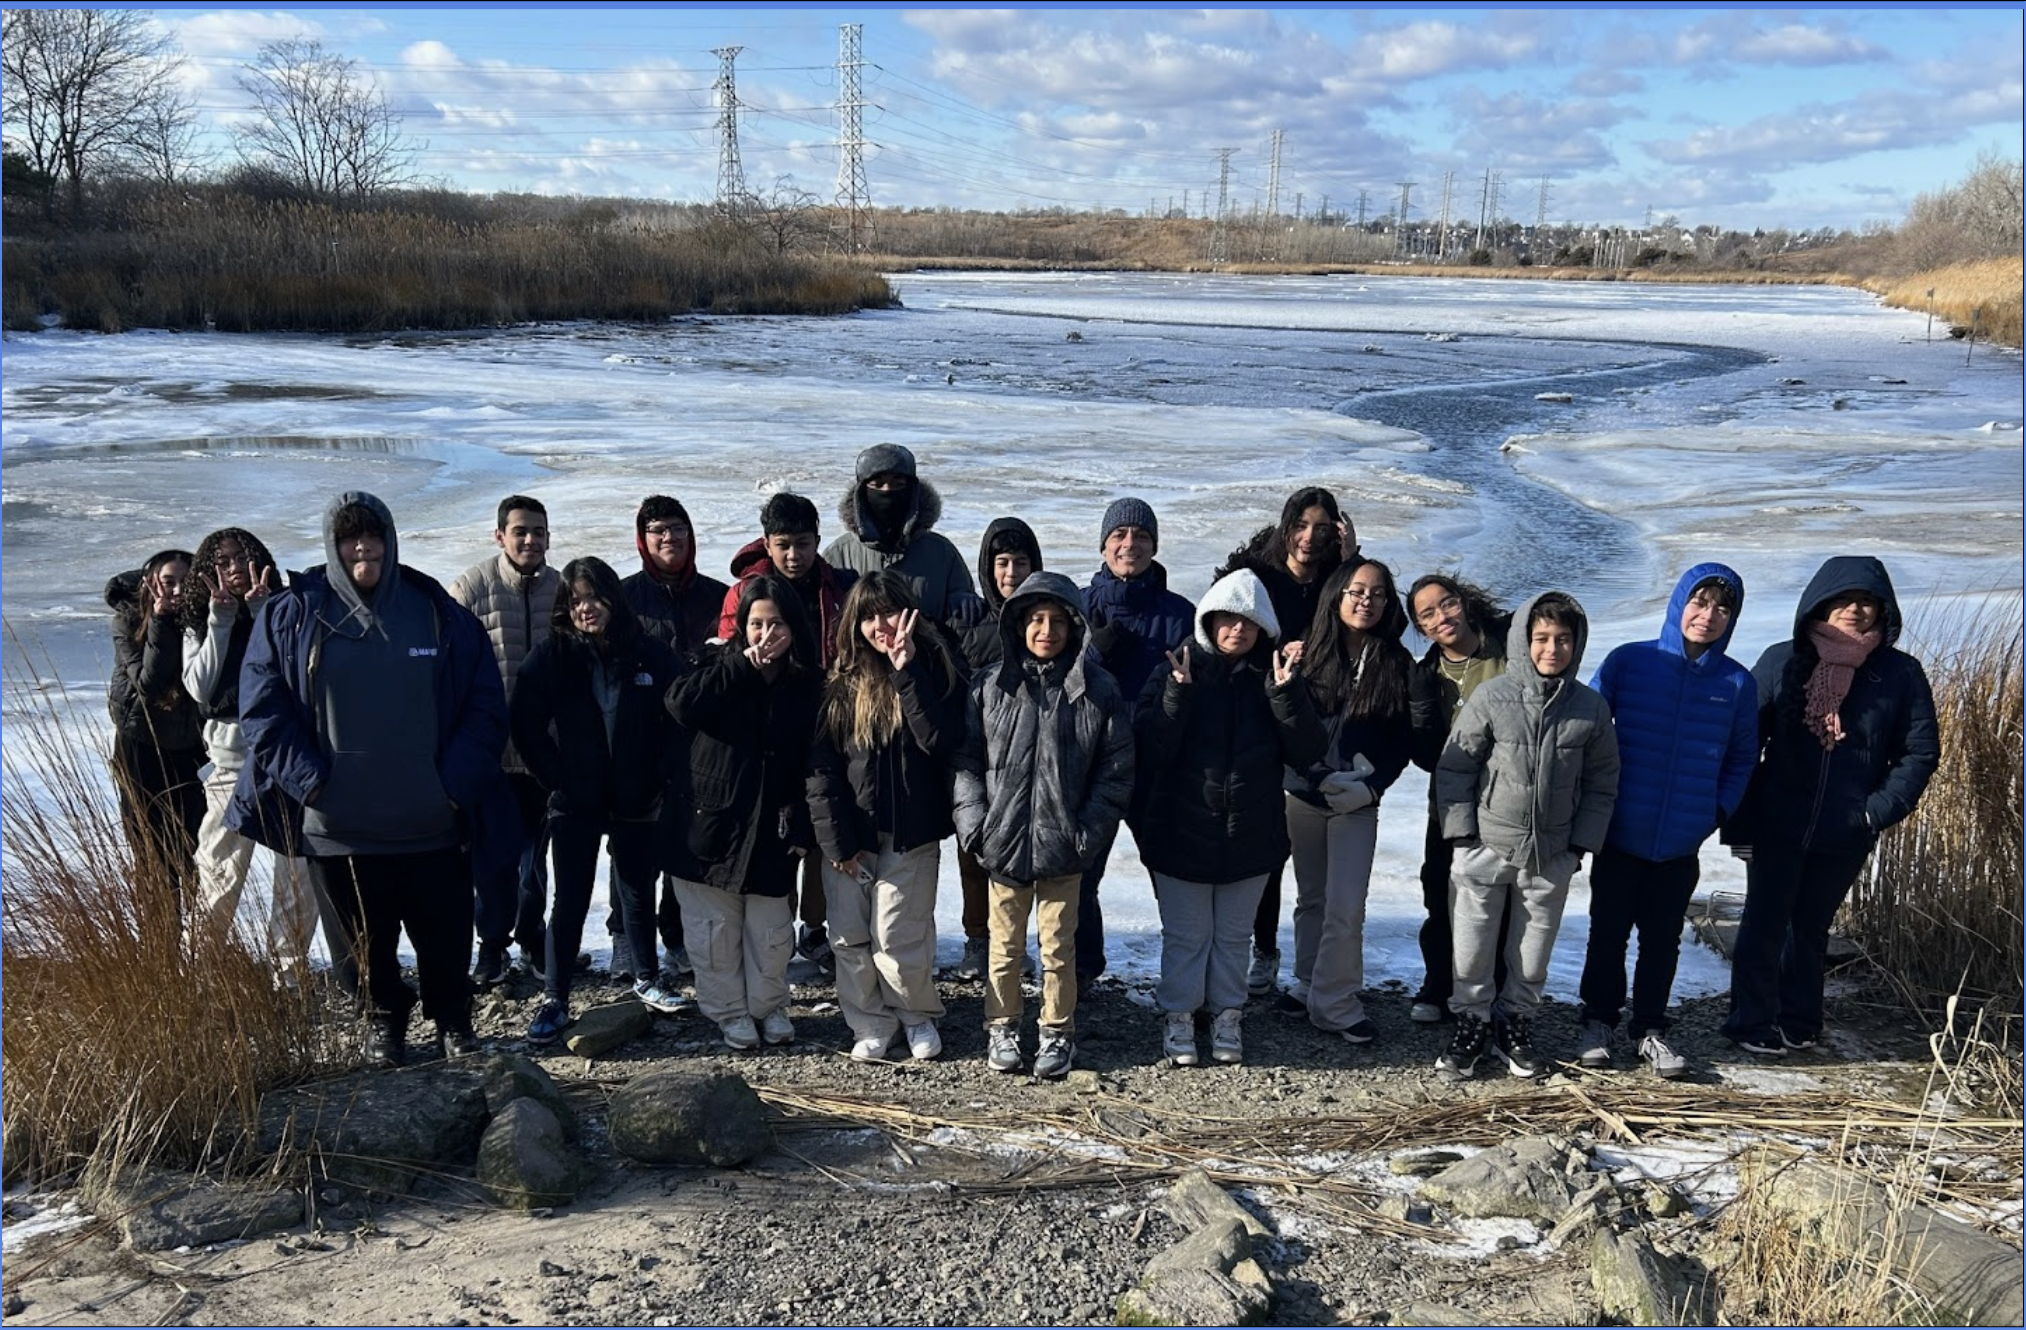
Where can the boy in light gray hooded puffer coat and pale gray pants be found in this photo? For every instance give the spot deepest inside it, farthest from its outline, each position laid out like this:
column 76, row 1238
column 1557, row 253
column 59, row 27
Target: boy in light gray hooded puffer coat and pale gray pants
column 1525, row 788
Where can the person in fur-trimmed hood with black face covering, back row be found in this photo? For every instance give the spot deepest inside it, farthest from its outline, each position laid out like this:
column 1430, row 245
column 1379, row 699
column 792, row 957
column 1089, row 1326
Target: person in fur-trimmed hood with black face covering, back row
column 890, row 516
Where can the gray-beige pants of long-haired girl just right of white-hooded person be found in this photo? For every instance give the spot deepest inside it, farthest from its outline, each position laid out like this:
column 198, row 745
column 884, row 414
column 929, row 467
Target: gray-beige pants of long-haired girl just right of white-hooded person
column 1332, row 879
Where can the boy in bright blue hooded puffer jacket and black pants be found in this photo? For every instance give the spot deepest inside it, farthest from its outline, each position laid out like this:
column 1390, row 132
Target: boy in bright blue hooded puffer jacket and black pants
column 1689, row 739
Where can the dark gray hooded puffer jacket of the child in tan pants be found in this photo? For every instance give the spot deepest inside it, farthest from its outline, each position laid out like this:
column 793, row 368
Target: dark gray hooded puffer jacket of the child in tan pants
column 1046, row 767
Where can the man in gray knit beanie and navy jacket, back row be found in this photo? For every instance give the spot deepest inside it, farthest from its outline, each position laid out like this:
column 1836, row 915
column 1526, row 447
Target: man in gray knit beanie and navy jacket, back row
column 1136, row 621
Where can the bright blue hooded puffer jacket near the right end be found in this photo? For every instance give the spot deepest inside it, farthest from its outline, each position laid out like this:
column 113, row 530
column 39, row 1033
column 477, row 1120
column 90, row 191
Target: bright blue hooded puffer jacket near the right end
column 1689, row 733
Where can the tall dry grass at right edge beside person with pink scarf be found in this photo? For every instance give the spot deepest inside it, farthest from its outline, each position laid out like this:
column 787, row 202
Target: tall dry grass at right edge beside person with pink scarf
column 1942, row 911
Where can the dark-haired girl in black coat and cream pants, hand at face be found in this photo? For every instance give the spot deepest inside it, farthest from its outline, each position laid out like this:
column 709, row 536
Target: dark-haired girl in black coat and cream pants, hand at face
column 741, row 838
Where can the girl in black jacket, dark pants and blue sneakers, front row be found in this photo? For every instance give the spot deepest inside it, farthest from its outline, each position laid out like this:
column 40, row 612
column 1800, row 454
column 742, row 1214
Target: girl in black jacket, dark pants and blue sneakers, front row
column 591, row 725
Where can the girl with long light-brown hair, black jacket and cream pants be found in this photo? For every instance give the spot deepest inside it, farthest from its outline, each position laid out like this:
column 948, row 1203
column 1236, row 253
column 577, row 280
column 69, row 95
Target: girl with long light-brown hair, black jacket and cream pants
column 880, row 798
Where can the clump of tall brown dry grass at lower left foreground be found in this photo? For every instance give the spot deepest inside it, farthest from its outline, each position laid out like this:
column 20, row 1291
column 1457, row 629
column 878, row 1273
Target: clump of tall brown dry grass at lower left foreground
column 121, row 1041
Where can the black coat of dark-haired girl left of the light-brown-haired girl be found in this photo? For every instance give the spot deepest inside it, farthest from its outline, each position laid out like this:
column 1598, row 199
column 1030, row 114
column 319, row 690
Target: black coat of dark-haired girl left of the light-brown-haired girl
column 747, row 810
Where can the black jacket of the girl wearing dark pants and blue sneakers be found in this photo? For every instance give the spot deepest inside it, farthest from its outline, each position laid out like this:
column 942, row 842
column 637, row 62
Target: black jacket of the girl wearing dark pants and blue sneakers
column 560, row 729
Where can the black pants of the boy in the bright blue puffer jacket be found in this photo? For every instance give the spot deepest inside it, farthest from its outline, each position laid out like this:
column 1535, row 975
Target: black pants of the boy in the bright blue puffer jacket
column 1652, row 897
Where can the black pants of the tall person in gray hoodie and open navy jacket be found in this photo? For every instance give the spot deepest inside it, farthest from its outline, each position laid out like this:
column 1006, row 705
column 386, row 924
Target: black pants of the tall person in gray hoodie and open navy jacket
column 374, row 897
